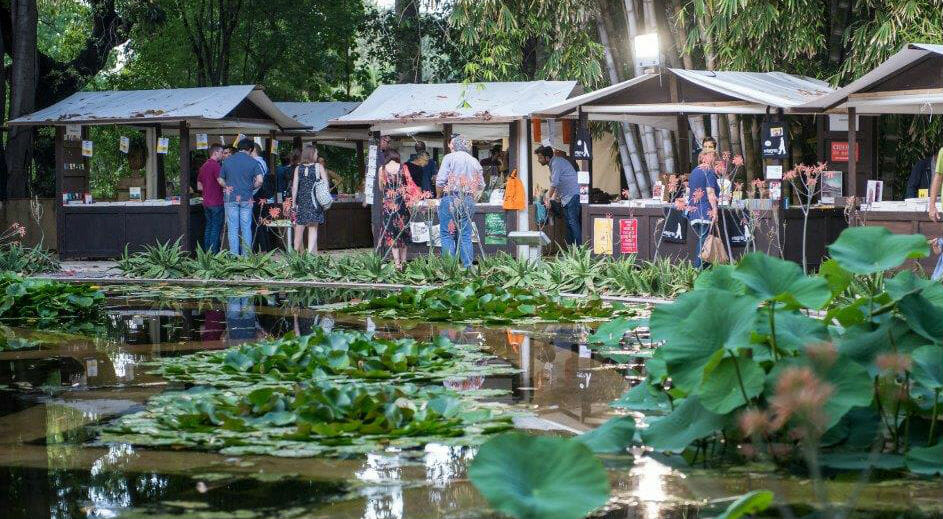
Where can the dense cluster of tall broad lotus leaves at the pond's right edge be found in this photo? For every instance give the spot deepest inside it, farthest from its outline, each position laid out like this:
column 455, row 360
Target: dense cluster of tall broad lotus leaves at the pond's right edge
column 746, row 345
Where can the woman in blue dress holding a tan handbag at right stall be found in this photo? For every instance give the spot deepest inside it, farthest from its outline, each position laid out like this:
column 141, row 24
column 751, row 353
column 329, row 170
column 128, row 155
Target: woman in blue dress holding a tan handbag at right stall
column 702, row 208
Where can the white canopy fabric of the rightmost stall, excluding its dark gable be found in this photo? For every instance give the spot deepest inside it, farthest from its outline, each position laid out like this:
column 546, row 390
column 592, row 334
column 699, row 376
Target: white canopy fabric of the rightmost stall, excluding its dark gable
column 918, row 102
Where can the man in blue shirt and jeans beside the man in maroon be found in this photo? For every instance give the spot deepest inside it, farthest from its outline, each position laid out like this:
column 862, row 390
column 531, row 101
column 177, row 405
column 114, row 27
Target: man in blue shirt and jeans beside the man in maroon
column 240, row 177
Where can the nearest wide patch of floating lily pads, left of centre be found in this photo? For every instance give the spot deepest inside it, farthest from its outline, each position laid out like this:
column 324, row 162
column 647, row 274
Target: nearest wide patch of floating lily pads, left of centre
column 321, row 418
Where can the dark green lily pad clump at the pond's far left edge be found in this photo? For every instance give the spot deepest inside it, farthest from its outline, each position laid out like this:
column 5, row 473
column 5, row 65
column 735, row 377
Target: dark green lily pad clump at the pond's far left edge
column 50, row 304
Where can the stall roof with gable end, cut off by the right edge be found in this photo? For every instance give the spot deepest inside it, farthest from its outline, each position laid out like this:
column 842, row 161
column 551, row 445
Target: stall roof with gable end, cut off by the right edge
column 909, row 82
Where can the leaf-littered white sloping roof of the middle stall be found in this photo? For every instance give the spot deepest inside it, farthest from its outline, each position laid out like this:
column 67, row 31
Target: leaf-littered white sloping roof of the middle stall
column 456, row 103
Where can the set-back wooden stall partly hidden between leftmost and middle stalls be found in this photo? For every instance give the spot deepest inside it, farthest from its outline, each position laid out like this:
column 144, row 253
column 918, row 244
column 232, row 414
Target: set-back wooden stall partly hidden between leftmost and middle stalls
column 347, row 223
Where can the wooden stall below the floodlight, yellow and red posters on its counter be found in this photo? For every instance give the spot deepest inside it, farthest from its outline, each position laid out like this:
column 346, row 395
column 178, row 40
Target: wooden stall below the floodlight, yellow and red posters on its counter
column 664, row 99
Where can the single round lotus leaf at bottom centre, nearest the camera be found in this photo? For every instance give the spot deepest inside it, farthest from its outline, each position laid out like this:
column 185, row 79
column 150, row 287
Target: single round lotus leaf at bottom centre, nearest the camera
column 531, row 476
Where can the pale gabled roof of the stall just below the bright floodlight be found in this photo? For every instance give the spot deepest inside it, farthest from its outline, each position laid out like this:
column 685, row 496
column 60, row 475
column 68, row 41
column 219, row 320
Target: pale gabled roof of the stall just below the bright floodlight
column 646, row 99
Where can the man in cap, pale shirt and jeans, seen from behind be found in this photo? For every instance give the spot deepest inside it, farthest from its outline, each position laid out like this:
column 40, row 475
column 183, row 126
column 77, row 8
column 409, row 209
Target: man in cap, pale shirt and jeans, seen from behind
column 458, row 184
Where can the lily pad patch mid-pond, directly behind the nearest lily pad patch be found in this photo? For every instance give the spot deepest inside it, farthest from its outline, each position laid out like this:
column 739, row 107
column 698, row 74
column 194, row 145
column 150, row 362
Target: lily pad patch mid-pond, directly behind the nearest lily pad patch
column 335, row 355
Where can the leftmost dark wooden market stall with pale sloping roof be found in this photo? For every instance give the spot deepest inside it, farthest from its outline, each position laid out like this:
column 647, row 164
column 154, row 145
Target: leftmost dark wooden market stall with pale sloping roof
column 105, row 229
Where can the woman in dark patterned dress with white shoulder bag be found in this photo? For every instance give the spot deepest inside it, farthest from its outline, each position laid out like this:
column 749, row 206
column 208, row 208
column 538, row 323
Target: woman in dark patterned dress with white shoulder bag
column 308, row 212
